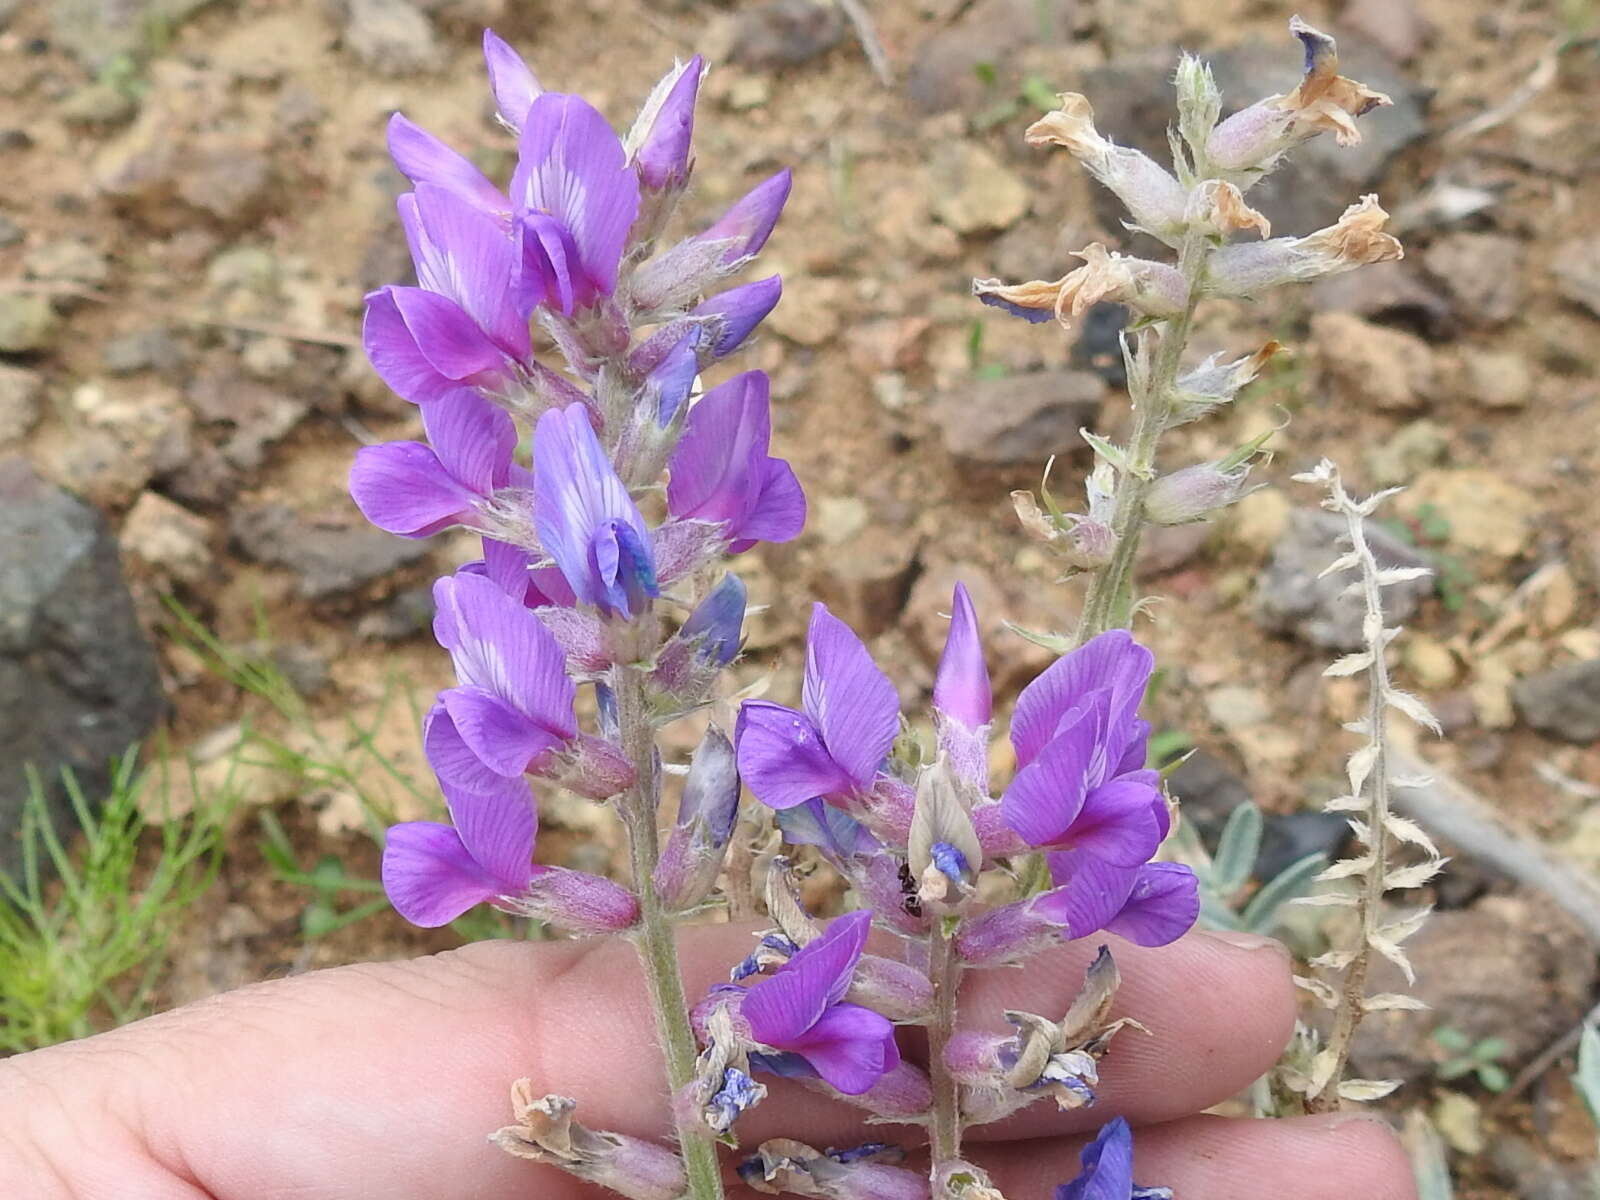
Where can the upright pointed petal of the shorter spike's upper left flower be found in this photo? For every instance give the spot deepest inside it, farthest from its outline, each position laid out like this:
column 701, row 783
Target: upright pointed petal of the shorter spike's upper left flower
column 849, row 698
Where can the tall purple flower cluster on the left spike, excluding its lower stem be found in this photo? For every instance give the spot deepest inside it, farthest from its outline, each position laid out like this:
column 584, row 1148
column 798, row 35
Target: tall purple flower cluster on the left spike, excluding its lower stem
column 572, row 572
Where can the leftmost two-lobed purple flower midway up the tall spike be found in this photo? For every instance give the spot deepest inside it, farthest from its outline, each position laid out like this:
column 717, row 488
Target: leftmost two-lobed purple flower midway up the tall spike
column 417, row 490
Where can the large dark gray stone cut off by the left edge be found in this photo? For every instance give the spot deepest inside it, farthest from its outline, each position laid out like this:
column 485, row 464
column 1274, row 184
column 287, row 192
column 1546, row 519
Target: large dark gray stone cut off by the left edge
column 79, row 681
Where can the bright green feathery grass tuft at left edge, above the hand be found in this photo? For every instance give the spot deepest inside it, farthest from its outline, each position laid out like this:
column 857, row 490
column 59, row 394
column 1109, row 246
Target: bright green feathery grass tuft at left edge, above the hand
column 86, row 922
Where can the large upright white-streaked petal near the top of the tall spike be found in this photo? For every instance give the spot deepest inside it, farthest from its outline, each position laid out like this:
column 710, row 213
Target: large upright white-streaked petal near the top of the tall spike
column 570, row 164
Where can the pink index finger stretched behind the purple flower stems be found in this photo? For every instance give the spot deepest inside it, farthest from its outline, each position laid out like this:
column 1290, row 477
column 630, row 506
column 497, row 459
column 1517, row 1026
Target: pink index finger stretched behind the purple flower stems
column 399, row 1071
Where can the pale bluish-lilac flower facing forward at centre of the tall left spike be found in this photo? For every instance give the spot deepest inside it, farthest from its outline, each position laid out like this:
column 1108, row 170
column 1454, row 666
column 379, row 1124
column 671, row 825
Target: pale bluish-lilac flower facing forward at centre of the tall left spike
column 578, row 497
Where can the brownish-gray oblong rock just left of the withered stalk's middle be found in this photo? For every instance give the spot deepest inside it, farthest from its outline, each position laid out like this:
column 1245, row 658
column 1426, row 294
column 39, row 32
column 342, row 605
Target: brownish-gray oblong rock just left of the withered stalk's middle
column 1018, row 418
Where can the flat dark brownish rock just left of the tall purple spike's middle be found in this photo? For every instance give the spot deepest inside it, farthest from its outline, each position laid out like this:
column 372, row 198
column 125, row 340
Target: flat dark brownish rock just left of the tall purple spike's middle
column 330, row 559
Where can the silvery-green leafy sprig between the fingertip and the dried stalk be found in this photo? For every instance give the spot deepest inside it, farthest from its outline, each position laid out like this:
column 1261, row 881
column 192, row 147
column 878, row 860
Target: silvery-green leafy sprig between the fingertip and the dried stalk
column 1225, row 878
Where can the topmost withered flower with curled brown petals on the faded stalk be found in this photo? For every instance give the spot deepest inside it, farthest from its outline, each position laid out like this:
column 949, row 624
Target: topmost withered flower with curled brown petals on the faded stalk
column 1252, row 142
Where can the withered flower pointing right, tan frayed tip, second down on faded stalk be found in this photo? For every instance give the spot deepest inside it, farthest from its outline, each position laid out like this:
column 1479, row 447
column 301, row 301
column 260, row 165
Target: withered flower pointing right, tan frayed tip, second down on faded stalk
column 1354, row 241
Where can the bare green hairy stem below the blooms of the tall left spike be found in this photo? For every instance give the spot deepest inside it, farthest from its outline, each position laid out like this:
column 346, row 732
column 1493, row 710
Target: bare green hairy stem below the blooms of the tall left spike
column 658, row 950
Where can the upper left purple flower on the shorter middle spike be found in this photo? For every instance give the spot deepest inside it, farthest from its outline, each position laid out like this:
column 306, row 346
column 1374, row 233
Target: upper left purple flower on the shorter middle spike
column 836, row 745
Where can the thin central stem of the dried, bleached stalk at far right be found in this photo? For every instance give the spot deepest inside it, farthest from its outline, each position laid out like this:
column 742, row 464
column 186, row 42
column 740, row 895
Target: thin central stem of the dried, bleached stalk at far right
column 1353, row 994
